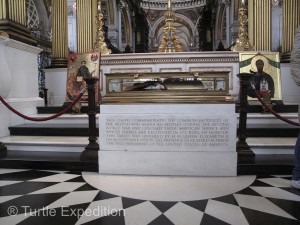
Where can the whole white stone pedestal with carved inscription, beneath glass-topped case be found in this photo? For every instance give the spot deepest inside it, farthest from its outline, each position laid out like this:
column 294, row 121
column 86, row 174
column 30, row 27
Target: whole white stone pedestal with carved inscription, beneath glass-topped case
column 168, row 139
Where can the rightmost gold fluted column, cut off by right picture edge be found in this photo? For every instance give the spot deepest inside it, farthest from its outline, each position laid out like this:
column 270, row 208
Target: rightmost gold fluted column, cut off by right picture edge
column 291, row 20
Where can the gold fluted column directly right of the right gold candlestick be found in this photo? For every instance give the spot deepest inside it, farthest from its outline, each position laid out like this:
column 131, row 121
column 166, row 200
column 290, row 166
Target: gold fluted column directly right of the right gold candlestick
column 261, row 24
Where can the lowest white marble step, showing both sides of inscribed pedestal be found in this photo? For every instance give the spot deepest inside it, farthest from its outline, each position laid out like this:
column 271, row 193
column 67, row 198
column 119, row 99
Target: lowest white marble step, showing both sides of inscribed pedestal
column 77, row 144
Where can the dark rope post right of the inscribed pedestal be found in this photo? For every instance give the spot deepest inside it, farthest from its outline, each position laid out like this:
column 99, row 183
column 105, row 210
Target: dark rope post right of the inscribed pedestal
column 245, row 154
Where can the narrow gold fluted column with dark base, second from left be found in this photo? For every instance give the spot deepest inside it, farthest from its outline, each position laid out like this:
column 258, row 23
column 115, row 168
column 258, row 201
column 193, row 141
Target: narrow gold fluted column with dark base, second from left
column 59, row 34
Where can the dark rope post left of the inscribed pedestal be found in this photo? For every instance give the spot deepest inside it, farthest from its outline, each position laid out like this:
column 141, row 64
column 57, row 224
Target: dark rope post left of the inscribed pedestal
column 91, row 150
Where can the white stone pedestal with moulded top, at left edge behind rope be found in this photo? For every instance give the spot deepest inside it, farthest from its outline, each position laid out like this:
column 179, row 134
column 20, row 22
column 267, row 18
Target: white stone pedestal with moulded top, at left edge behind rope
column 18, row 81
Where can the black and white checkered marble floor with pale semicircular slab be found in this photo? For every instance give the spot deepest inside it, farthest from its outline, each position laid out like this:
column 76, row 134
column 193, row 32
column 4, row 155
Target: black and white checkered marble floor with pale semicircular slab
column 32, row 197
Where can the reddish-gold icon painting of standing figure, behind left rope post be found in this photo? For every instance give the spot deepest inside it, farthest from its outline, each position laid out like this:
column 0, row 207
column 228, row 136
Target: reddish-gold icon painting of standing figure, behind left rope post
column 80, row 66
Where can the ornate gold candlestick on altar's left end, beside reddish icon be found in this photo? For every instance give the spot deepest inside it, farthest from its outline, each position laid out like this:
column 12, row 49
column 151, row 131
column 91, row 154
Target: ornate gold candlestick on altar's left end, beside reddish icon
column 100, row 45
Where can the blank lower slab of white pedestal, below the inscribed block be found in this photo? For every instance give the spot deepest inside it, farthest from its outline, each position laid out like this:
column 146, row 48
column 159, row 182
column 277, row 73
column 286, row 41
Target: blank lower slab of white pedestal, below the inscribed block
column 168, row 163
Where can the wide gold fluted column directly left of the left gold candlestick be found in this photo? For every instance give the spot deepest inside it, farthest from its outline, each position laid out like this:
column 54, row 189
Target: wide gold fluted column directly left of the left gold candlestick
column 86, row 11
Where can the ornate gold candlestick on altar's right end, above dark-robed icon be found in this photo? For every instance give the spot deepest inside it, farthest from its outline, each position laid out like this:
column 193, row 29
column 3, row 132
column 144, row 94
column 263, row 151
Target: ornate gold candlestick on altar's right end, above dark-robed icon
column 242, row 42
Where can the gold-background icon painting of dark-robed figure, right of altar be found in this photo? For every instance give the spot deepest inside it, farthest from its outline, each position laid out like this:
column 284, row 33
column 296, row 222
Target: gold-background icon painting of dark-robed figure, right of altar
column 265, row 67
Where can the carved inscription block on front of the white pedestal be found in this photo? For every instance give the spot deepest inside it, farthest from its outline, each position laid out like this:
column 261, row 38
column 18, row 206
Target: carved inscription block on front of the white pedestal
column 192, row 132
